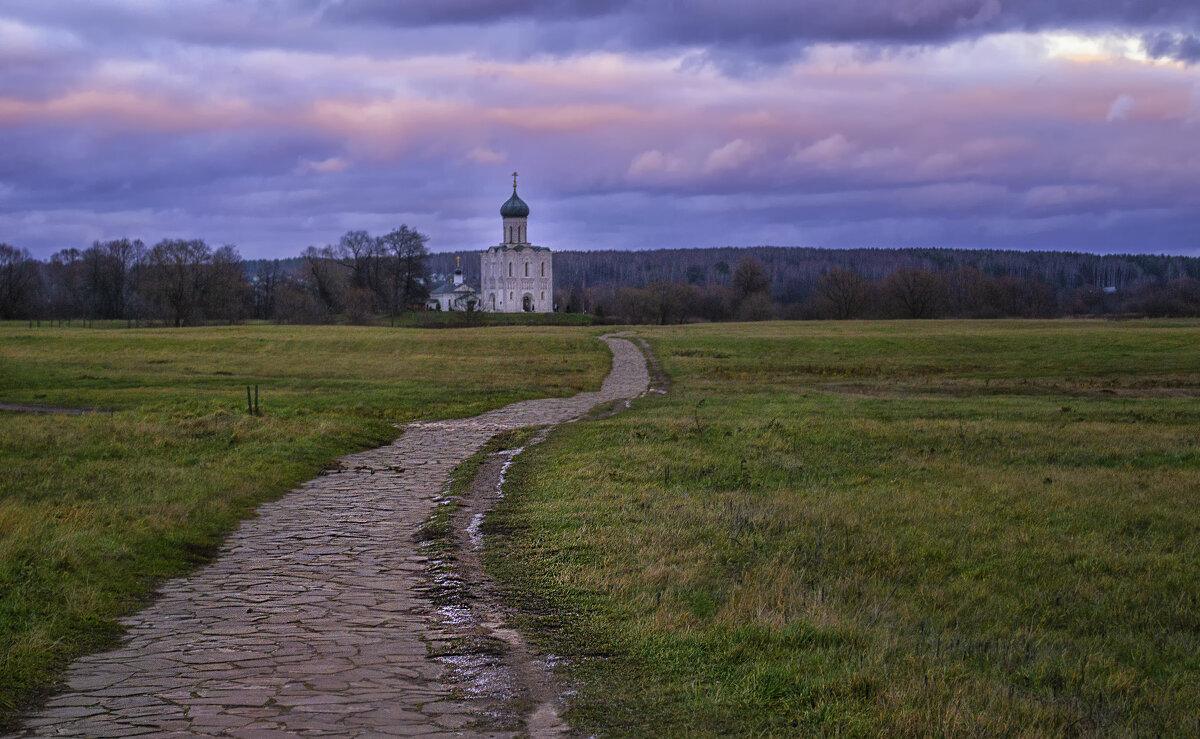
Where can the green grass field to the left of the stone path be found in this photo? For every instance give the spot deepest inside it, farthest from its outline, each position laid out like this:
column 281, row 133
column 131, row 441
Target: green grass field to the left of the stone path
column 97, row 509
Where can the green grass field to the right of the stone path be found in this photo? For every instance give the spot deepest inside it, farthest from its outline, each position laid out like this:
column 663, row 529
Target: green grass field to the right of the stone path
column 877, row 528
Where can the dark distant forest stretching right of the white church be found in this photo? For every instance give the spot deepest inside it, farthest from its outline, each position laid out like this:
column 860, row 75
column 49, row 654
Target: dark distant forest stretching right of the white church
column 674, row 286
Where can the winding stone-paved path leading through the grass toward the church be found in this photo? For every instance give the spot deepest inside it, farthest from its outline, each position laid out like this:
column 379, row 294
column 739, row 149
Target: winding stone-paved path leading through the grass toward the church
column 313, row 620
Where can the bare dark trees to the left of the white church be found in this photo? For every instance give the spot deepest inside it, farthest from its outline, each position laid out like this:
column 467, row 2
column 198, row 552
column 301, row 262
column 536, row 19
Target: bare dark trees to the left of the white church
column 188, row 283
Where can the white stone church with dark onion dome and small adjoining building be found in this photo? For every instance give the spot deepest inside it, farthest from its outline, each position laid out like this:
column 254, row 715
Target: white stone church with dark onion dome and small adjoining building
column 517, row 277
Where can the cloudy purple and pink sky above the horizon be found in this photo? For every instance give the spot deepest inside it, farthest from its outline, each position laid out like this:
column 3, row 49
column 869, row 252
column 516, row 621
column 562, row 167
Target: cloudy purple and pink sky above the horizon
column 275, row 125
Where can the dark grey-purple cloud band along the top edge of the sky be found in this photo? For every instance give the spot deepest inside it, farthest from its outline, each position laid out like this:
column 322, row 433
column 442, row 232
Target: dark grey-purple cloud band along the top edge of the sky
column 765, row 29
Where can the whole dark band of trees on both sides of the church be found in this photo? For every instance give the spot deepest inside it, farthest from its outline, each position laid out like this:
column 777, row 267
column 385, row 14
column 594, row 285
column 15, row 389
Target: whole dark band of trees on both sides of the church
column 363, row 278
